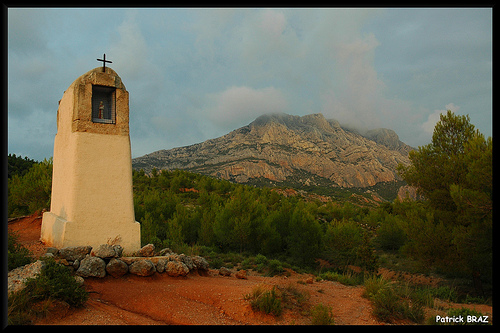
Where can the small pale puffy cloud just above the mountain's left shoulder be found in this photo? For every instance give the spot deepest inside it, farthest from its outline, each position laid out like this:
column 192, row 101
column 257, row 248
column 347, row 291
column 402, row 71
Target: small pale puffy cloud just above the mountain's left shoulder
column 237, row 106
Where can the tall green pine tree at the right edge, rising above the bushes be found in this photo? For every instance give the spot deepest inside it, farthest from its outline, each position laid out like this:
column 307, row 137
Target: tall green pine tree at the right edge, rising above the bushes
column 454, row 173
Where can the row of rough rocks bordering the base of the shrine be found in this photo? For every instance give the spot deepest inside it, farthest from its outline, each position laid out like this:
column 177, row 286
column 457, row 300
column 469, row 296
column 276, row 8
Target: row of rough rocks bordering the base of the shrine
column 107, row 259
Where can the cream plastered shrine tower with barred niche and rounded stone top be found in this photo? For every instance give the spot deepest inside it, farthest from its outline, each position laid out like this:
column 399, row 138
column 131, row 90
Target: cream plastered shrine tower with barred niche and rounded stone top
column 92, row 200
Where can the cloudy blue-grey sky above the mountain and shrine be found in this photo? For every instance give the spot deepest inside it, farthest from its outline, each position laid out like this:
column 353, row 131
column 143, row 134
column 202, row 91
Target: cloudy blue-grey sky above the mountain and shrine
column 196, row 74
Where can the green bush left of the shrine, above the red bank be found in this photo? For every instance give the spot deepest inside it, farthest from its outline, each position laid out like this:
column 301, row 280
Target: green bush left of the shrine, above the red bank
column 30, row 192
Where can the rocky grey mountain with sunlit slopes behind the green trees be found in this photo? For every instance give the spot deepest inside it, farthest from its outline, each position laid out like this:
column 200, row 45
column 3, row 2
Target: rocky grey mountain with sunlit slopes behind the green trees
column 293, row 151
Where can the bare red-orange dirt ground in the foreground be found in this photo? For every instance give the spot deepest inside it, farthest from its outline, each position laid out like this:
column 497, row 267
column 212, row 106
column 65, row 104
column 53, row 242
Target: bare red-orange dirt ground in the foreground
column 199, row 300
